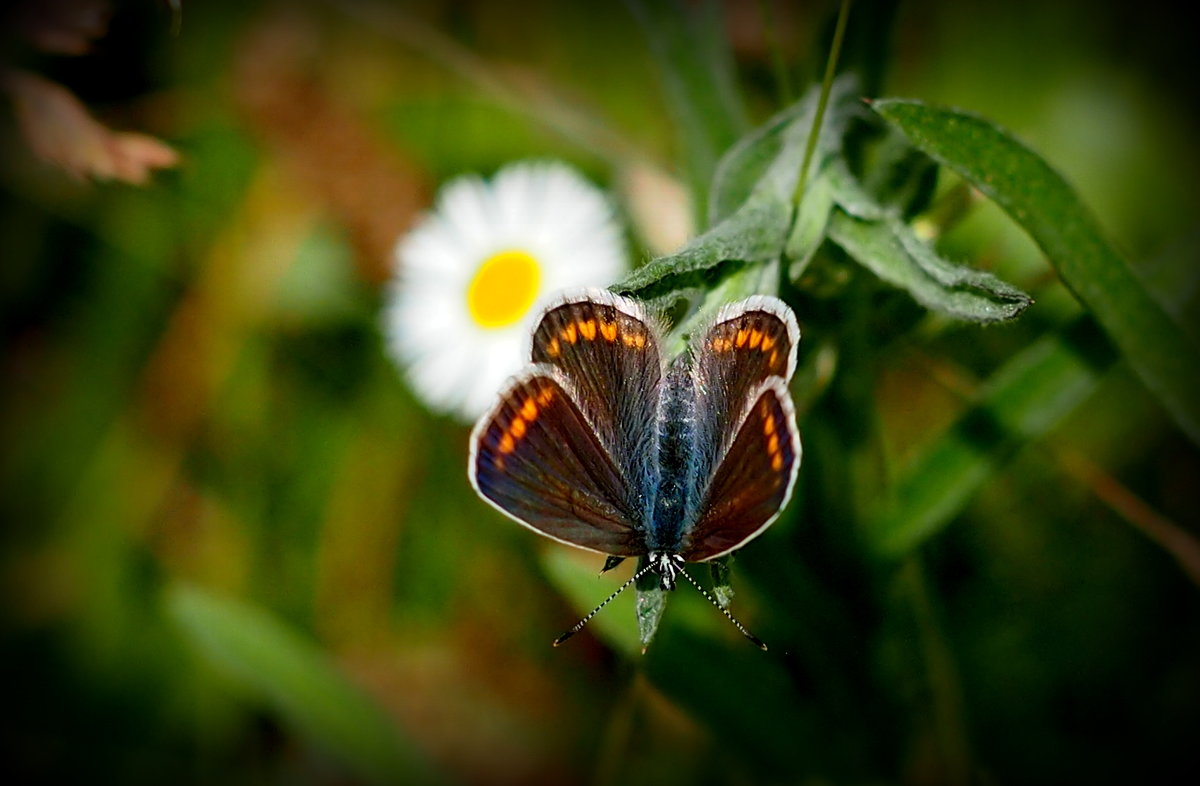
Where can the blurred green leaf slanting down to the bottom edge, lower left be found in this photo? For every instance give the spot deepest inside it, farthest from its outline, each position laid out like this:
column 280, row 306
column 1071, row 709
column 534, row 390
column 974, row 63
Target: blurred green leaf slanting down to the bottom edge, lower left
column 289, row 674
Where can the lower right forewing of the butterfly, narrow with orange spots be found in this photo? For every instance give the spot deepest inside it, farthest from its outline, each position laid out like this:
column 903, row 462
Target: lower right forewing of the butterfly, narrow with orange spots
column 754, row 479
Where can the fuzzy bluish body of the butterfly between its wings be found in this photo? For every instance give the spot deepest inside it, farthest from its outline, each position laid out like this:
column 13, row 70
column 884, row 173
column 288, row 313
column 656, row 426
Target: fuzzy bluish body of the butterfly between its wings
column 676, row 439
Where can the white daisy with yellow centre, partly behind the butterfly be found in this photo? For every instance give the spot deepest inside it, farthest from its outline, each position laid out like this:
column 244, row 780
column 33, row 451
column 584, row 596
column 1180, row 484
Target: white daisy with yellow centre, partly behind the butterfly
column 473, row 275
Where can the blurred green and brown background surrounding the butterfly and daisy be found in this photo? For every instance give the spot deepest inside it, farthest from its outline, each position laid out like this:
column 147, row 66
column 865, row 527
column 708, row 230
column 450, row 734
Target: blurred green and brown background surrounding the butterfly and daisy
column 236, row 549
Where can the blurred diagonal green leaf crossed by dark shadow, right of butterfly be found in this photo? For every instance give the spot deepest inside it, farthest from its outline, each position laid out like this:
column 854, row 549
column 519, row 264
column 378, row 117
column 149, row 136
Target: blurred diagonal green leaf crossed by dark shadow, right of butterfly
column 1019, row 404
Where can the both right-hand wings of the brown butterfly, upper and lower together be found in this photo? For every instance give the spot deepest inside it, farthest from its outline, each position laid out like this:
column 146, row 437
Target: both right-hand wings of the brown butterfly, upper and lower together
column 746, row 424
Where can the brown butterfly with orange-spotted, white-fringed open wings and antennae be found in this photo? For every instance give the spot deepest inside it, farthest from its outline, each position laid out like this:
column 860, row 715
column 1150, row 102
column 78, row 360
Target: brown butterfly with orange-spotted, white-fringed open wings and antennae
column 604, row 445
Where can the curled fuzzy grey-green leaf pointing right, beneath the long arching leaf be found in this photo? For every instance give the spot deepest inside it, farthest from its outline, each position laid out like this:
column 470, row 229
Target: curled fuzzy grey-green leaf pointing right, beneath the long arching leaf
column 891, row 250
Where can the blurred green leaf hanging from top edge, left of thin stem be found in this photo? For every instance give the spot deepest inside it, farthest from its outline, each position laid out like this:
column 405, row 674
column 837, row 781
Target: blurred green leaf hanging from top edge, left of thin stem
column 691, row 49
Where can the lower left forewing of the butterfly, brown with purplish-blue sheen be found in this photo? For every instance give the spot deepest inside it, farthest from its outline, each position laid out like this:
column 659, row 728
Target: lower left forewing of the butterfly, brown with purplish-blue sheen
column 536, row 458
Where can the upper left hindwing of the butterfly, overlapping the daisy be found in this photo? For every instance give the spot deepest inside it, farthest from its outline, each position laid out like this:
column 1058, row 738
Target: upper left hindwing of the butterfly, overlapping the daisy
column 609, row 350
